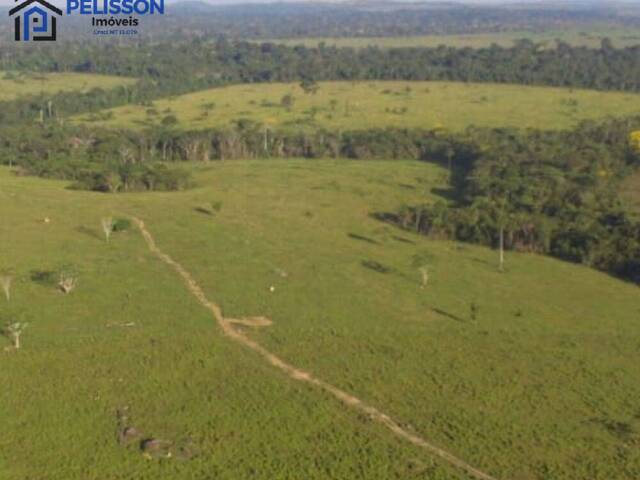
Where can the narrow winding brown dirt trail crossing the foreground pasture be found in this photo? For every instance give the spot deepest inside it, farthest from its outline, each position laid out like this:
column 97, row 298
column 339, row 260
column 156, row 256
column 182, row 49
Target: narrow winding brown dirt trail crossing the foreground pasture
column 301, row 375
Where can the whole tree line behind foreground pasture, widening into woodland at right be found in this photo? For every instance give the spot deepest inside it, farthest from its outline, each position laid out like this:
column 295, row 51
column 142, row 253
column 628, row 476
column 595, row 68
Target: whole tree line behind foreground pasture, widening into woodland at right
column 553, row 192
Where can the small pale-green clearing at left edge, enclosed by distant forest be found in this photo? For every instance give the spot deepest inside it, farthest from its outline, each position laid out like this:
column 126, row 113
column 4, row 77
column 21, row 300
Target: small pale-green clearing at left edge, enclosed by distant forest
column 16, row 84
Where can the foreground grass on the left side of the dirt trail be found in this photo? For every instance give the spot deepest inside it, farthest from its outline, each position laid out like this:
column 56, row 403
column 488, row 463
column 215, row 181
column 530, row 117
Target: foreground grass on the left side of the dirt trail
column 181, row 380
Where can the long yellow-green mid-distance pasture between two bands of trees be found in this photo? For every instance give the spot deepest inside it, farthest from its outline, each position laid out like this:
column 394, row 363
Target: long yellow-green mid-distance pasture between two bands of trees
column 363, row 105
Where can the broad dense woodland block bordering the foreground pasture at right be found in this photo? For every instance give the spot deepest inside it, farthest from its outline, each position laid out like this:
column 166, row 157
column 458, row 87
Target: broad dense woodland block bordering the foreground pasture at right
column 546, row 192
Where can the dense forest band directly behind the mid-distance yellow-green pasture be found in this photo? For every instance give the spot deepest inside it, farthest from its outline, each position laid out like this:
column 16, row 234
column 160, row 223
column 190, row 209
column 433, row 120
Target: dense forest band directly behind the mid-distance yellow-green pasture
column 182, row 66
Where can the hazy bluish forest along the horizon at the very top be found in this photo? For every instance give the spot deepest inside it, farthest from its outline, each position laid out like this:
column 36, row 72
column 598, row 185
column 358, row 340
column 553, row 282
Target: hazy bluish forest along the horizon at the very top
column 352, row 19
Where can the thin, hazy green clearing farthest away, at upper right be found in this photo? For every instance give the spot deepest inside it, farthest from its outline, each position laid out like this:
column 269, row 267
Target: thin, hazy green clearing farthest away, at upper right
column 589, row 38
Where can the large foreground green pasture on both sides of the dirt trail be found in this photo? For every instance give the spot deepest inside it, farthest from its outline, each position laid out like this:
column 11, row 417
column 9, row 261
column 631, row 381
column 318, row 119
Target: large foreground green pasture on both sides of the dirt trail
column 541, row 384
